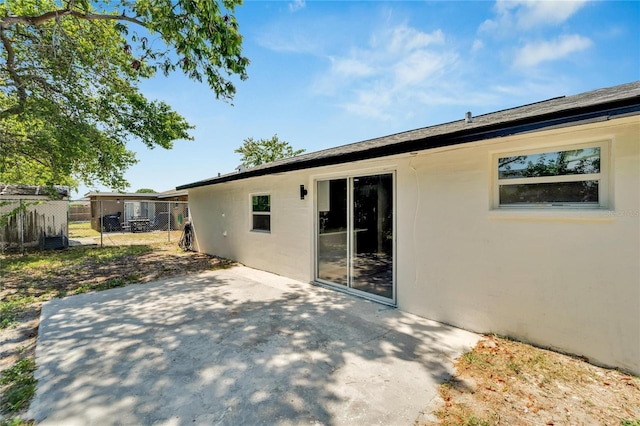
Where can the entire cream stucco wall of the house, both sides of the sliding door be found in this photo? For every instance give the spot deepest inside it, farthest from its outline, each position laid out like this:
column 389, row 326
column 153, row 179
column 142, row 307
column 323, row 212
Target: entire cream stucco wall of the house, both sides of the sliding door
column 565, row 279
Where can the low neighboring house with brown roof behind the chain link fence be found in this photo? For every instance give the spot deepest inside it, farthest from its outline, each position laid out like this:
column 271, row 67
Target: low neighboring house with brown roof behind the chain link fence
column 127, row 206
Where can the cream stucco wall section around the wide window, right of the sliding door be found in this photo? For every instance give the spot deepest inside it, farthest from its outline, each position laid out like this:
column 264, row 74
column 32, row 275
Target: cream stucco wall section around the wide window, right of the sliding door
column 566, row 279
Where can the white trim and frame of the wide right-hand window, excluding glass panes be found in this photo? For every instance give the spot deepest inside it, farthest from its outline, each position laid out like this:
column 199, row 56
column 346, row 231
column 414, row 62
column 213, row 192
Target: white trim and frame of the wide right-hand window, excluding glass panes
column 602, row 177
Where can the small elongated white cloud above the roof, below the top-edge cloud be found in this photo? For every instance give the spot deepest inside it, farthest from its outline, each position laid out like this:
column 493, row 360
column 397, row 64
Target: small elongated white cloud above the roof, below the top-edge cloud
column 534, row 53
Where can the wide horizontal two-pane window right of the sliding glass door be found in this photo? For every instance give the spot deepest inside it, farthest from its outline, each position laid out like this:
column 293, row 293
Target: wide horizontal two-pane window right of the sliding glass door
column 567, row 176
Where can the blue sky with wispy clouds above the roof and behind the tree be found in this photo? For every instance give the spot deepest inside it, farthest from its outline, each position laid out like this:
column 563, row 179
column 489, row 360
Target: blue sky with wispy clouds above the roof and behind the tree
column 328, row 73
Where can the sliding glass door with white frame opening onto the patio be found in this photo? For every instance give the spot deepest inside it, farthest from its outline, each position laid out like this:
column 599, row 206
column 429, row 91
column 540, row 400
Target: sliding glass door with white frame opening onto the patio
column 355, row 234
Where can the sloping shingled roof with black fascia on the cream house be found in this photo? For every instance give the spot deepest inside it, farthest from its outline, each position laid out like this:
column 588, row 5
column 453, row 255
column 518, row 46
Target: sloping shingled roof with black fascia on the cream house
column 595, row 105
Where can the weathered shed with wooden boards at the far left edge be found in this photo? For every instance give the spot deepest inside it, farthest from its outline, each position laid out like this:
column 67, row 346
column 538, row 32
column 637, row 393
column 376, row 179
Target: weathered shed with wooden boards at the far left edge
column 28, row 213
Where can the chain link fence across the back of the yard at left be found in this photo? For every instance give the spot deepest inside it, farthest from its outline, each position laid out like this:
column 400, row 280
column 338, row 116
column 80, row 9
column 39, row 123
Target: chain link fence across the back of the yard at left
column 49, row 224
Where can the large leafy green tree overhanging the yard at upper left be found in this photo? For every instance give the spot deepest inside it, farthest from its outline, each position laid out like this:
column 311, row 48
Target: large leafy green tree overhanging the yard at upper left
column 69, row 76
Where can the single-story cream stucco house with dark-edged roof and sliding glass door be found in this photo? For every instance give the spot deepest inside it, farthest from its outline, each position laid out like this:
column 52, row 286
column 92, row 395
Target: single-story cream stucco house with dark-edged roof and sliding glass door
column 522, row 222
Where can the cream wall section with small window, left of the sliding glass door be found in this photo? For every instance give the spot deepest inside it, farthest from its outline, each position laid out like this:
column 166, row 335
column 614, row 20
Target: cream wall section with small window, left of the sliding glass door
column 222, row 219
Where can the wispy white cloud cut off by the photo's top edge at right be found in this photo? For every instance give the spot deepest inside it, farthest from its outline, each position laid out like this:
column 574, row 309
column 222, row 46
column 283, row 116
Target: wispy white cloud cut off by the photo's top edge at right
column 528, row 14
